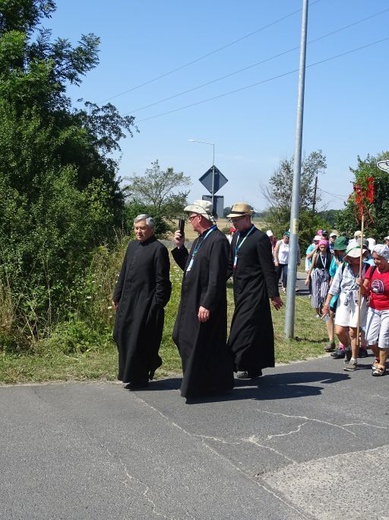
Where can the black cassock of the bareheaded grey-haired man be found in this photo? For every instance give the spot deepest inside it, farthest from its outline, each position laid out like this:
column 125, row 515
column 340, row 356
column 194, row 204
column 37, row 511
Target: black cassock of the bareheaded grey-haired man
column 142, row 291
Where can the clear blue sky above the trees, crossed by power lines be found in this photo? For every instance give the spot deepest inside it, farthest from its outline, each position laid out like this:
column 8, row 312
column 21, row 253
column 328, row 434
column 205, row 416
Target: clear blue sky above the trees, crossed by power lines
column 152, row 50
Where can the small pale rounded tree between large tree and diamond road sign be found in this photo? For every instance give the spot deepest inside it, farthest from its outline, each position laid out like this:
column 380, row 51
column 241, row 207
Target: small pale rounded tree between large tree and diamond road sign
column 160, row 191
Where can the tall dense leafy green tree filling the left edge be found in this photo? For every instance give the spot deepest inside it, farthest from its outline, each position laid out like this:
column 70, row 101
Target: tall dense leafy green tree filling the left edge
column 59, row 193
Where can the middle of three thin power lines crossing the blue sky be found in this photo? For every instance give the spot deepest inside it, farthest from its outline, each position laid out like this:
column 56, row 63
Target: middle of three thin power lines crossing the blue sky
column 173, row 96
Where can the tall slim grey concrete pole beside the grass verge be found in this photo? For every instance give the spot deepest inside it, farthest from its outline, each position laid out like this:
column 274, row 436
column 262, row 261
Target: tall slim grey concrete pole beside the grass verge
column 294, row 214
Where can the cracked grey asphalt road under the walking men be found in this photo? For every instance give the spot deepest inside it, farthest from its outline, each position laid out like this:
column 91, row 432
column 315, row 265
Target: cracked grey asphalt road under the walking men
column 305, row 441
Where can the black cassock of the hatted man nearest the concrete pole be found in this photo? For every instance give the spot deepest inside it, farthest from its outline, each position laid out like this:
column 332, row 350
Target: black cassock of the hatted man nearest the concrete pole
column 251, row 340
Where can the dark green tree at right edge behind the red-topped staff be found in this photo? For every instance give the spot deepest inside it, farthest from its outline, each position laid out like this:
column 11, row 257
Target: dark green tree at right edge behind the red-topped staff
column 377, row 214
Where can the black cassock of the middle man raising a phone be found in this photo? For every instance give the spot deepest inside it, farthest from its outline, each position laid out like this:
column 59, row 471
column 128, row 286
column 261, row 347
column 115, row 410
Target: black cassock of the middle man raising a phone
column 206, row 362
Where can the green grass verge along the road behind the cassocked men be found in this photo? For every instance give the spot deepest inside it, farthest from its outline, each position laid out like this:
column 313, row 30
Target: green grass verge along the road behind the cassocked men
column 99, row 359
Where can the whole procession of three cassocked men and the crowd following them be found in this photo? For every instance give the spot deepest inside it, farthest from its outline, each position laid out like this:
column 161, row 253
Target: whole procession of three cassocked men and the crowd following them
column 348, row 285
